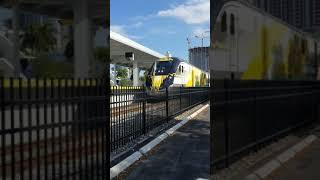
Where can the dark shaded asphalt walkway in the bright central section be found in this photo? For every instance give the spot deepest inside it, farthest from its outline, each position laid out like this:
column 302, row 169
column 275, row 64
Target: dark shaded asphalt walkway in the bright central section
column 184, row 155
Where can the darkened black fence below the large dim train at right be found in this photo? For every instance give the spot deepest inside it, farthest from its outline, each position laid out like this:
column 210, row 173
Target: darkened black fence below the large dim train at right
column 246, row 114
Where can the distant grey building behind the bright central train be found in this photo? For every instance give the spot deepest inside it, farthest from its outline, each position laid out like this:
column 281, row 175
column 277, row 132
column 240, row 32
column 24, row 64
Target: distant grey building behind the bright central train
column 199, row 57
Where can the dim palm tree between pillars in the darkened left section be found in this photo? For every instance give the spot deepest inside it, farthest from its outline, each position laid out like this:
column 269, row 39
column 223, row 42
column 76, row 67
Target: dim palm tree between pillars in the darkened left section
column 38, row 38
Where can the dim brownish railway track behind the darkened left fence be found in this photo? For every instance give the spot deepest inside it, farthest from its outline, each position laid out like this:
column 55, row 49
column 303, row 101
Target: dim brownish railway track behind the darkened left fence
column 73, row 151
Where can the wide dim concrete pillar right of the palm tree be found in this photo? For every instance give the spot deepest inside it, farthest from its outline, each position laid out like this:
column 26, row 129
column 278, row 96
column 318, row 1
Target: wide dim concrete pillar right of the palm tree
column 83, row 49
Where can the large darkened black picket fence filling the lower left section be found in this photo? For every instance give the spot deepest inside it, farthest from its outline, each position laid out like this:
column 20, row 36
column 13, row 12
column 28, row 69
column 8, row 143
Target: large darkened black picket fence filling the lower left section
column 54, row 129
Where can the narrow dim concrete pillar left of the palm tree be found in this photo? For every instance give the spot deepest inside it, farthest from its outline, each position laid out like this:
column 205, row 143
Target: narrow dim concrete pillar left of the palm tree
column 15, row 53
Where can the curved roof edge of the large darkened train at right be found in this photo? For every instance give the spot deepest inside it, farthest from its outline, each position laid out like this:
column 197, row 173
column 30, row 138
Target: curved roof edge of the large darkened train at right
column 250, row 5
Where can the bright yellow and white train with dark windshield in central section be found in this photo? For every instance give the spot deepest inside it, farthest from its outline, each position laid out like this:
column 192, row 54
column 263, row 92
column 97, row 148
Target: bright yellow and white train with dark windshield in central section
column 174, row 72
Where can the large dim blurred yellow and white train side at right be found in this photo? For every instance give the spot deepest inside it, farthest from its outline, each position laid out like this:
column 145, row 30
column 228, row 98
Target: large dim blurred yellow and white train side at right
column 250, row 44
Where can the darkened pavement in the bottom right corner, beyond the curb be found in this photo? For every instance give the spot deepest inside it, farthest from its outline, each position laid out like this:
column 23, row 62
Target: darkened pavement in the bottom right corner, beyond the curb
column 306, row 165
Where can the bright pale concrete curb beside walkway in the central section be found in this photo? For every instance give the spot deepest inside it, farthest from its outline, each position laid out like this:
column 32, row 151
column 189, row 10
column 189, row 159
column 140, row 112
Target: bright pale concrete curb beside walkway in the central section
column 124, row 164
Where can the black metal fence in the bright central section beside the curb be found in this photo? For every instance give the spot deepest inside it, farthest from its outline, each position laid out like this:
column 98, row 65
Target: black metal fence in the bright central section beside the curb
column 134, row 112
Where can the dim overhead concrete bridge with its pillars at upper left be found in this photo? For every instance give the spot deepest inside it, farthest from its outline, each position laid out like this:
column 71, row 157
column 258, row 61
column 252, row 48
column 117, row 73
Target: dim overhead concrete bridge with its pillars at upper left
column 84, row 14
